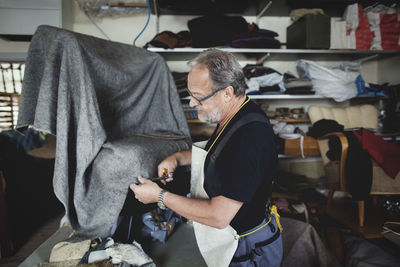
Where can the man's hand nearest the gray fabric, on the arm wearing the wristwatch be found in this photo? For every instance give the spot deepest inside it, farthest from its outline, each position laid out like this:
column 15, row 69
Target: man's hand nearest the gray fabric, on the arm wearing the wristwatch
column 147, row 191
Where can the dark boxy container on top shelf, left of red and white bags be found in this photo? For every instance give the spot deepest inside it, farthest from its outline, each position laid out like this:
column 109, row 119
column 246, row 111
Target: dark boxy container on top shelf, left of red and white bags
column 310, row 32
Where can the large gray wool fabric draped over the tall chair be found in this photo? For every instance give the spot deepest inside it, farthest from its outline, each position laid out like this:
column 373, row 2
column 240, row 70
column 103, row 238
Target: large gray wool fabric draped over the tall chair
column 99, row 98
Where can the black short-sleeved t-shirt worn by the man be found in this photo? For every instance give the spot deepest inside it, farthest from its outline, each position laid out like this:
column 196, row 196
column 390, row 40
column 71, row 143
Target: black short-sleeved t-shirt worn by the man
column 244, row 168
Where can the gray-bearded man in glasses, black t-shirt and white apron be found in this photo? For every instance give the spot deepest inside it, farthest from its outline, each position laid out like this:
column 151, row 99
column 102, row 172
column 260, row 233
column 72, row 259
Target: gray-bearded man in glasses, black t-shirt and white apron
column 239, row 164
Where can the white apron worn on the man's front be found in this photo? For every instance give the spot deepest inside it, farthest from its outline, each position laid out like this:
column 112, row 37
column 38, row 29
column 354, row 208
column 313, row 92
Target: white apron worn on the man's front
column 217, row 246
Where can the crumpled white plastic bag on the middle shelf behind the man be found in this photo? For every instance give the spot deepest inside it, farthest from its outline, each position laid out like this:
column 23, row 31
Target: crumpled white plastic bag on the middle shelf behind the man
column 329, row 82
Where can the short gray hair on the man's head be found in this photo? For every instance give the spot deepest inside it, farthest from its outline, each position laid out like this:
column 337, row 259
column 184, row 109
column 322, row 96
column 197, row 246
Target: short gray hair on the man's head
column 223, row 68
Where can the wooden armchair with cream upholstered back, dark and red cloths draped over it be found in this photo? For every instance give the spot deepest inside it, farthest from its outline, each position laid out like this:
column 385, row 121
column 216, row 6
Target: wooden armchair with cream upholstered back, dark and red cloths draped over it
column 365, row 116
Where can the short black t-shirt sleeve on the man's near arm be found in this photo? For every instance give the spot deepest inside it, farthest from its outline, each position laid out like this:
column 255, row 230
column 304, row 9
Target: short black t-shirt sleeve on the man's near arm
column 244, row 161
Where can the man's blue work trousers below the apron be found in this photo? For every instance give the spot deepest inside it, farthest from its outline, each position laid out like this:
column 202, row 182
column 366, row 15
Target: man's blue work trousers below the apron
column 261, row 248
